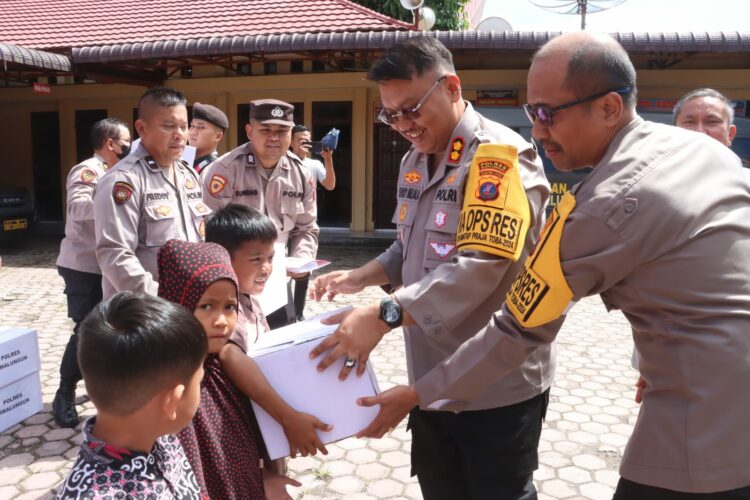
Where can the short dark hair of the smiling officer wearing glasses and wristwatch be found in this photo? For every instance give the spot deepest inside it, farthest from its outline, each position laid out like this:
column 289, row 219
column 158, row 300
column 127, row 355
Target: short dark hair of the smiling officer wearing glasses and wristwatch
column 412, row 57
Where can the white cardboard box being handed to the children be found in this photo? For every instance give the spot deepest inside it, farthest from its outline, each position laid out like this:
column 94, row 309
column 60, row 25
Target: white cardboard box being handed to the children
column 295, row 377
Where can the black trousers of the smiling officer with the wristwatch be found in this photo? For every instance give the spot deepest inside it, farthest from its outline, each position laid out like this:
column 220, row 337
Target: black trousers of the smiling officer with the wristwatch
column 478, row 455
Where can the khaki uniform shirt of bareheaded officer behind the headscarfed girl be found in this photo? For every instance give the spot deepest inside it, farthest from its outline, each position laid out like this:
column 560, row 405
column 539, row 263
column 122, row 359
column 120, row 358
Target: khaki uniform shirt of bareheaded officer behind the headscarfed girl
column 130, row 229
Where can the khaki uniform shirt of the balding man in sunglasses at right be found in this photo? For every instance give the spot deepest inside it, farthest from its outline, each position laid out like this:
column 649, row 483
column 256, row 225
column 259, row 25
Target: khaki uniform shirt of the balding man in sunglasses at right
column 661, row 230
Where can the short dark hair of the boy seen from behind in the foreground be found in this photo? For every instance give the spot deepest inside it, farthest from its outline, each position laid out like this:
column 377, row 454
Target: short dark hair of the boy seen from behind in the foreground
column 132, row 346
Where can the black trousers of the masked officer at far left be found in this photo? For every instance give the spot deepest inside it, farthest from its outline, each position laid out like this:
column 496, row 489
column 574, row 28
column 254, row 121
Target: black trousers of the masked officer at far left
column 84, row 292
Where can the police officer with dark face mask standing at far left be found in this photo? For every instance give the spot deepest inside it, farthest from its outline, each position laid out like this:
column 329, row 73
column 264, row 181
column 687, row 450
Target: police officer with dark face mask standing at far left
column 110, row 139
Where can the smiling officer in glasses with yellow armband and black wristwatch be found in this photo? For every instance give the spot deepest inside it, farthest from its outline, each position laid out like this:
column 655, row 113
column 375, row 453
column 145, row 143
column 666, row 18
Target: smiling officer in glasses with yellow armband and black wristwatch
column 471, row 198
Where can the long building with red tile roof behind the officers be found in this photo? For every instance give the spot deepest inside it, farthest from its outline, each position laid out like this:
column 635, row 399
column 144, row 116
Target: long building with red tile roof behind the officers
column 93, row 58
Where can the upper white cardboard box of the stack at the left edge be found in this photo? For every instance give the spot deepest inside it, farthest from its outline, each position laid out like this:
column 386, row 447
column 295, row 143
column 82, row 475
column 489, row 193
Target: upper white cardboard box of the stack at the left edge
column 19, row 354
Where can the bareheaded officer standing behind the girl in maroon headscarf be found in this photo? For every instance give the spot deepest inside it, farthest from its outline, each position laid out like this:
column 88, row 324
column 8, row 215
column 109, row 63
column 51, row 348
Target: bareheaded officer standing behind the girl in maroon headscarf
column 149, row 198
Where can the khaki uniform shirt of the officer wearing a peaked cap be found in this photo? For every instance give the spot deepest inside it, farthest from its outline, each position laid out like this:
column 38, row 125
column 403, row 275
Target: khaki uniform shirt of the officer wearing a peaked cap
column 287, row 196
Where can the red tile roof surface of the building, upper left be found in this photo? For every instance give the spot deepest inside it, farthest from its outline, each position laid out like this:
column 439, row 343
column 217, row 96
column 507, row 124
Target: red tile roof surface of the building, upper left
column 46, row 24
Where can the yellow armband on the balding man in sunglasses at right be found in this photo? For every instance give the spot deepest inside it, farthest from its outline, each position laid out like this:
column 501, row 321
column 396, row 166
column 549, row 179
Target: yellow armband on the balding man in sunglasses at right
column 540, row 293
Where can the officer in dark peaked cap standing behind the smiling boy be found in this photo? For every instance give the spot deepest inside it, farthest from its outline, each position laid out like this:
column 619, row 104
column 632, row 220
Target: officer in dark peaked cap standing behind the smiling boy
column 263, row 174
